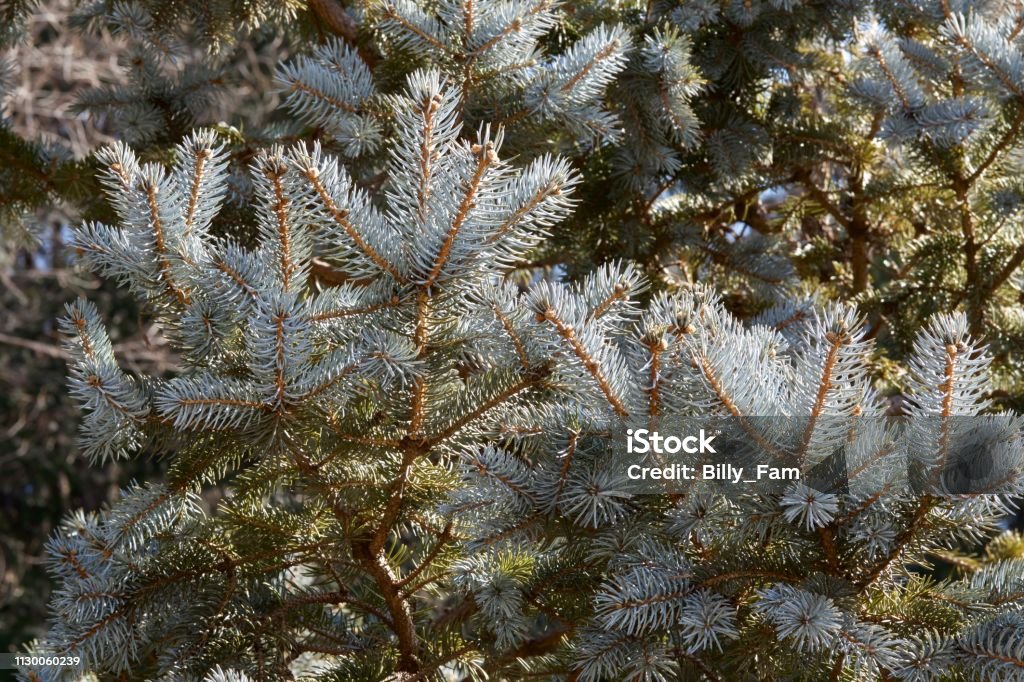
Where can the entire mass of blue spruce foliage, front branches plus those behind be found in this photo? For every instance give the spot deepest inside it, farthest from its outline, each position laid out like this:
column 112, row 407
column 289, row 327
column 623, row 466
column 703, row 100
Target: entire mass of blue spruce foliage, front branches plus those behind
column 415, row 447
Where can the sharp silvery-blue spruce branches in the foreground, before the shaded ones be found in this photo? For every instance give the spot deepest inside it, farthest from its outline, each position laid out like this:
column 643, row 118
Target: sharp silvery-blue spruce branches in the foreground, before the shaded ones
column 417, row 458
